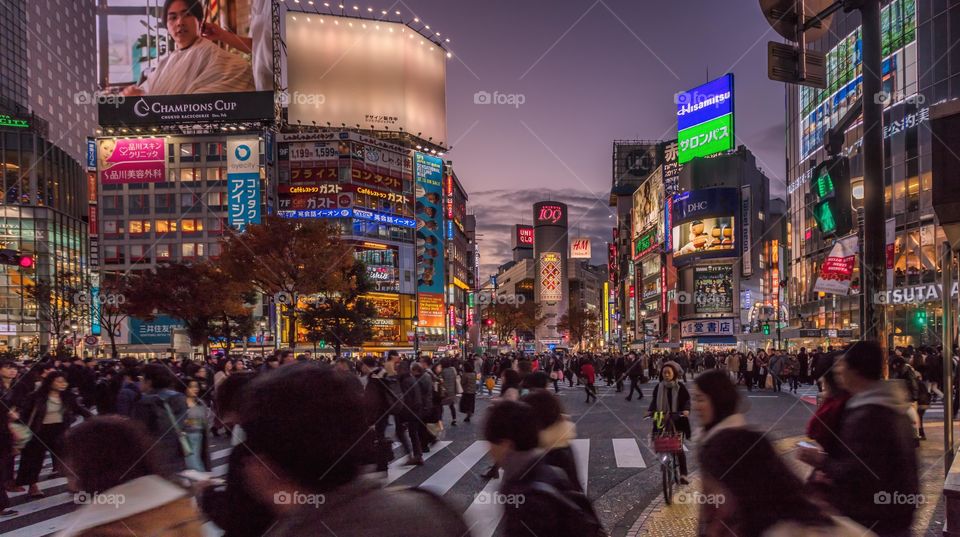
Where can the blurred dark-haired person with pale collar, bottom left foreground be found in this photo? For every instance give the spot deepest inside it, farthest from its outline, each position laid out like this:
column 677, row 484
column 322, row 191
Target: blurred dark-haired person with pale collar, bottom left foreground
column 119, row 485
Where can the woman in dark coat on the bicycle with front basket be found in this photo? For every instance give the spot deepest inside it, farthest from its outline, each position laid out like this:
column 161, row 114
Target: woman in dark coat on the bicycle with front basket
column 670, row 409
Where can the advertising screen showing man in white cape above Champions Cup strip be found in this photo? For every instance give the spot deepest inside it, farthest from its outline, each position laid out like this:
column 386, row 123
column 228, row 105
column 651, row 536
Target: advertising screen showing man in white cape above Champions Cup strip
column 194, row 62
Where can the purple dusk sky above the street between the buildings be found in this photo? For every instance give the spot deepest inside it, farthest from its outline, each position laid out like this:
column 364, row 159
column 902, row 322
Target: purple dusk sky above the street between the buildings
column 589, row 72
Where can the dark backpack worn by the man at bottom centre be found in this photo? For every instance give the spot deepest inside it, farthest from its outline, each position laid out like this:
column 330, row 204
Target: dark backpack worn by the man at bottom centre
column 575, row 512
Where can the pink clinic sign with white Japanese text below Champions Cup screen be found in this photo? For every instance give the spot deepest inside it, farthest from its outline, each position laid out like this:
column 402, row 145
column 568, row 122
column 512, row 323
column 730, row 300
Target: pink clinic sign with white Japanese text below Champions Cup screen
column 135, row 160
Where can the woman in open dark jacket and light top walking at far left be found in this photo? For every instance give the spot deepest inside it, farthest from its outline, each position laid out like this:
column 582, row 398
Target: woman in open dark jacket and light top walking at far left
column 49, row 412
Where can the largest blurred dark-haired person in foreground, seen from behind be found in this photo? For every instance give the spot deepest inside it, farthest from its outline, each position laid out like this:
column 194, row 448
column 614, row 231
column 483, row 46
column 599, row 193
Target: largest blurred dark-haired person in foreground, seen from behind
column 318, row 412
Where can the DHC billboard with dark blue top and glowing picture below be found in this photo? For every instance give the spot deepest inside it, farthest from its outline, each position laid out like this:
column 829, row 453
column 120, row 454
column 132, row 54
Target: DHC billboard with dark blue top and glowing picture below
column 703, row 224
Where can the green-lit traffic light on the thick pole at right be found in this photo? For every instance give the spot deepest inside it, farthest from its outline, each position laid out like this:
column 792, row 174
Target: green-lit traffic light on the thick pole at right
column 830, row 190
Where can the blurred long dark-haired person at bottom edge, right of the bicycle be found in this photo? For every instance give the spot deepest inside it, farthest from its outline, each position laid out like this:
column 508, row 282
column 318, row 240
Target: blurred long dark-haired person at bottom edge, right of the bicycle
column 771, row 506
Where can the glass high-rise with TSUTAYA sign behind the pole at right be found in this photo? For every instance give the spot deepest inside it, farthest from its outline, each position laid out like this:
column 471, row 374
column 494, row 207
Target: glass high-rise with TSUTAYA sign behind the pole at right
column 919, row 70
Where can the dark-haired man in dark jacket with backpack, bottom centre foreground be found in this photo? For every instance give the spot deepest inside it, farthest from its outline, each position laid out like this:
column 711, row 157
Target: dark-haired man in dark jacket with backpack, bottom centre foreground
column 539, row 498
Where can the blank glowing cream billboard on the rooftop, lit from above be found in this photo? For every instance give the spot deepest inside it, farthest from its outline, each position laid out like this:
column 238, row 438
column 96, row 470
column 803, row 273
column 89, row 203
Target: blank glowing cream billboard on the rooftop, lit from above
column 371, row 74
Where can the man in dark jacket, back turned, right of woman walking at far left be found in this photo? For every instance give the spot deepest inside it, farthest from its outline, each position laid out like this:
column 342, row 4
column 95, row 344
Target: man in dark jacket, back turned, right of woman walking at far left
column 161, row 409
